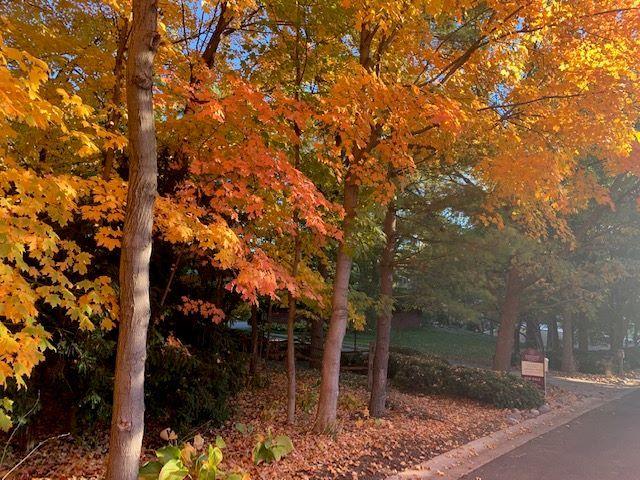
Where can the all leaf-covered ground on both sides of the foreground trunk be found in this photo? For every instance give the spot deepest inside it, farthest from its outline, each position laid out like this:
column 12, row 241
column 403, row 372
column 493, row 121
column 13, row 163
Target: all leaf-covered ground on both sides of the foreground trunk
column 417, row 428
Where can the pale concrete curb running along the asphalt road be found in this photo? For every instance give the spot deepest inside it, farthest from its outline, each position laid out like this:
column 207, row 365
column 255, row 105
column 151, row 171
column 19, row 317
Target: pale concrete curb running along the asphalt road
column 465, row 459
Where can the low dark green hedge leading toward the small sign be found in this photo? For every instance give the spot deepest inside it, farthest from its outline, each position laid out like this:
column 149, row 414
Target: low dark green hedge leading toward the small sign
column 434, row 375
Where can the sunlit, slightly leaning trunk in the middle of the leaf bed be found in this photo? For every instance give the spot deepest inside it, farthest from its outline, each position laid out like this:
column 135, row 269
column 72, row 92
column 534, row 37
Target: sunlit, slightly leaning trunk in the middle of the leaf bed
column 329, row 387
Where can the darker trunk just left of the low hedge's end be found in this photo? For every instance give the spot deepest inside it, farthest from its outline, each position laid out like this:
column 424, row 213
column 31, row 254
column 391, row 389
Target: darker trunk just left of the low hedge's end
column 378, row 397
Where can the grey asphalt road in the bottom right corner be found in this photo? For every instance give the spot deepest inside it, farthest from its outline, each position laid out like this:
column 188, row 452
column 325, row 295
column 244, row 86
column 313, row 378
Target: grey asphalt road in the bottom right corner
column 603, row 444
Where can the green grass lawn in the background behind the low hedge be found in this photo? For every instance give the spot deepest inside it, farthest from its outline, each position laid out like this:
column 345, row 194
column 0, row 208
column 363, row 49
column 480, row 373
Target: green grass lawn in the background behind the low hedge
column 455, row 344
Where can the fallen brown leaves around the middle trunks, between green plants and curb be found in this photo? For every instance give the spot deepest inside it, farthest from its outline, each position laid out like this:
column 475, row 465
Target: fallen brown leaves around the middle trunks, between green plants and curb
column 416, row 429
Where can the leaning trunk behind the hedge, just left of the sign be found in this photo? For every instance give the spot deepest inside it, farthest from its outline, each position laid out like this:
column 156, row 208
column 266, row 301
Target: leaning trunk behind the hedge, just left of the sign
column 509, row 312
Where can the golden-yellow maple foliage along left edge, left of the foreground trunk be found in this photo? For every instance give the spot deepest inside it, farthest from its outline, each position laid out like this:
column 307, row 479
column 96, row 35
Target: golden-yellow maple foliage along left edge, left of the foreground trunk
column 39, row 265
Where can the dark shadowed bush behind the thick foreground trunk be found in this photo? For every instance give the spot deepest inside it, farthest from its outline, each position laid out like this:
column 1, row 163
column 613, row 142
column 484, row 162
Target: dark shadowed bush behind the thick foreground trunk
column 186, row 384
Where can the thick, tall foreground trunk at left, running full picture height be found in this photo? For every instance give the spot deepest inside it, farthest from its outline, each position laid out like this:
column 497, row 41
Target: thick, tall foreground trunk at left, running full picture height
column 127, row 420
